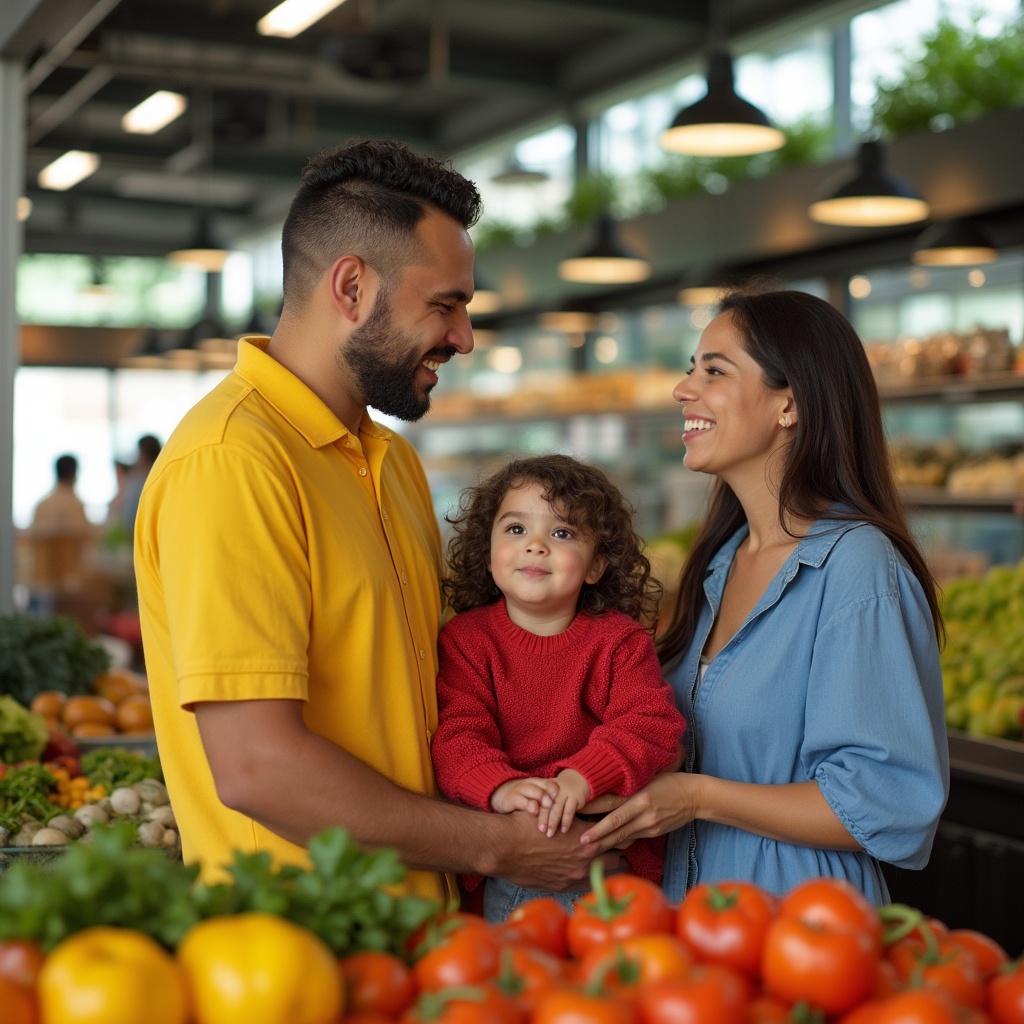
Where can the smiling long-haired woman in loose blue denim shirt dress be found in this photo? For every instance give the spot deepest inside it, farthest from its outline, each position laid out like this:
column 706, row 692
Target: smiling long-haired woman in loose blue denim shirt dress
column 804, row 647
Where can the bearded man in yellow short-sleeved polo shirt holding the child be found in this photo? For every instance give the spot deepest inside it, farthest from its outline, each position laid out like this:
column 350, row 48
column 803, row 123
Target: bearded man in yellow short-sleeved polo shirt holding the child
column 288, row 557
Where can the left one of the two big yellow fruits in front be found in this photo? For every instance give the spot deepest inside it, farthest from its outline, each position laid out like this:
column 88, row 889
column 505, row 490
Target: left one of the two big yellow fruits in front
column 108, row 975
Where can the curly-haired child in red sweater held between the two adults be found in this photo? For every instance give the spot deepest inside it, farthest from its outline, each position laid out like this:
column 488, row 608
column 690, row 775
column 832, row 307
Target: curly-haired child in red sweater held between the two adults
column 550, row 692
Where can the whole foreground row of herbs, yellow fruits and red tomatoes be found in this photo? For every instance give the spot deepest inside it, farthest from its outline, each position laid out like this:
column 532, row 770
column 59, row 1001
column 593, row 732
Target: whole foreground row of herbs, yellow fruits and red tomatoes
column 122, row 936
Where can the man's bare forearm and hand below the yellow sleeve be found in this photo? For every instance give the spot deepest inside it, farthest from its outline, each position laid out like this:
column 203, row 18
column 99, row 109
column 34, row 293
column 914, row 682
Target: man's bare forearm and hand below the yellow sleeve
column 269, row 766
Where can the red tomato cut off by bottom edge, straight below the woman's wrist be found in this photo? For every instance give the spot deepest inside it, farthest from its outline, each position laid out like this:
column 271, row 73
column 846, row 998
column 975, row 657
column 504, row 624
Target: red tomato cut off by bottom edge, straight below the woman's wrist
column 712, row 995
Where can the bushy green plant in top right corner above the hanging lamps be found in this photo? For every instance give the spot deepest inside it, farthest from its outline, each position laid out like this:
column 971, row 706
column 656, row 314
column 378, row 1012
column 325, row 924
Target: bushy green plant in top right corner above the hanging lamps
column 960, row 76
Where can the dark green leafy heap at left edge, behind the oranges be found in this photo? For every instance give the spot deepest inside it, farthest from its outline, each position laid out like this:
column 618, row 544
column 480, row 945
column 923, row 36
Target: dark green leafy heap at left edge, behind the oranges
column 48, row 654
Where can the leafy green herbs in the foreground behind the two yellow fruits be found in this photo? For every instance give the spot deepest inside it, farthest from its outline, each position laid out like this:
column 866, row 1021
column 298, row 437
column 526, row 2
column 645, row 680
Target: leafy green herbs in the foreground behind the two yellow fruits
column 347, row 898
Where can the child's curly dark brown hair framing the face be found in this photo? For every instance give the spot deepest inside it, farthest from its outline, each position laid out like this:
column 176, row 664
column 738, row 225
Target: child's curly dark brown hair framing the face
column 589, row 502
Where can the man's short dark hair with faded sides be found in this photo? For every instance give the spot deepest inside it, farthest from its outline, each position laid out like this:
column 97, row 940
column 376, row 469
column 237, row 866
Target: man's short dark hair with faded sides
column 366, row 198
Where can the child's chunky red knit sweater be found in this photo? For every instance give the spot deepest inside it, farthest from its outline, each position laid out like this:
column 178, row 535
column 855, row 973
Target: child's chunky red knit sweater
column 515, row 705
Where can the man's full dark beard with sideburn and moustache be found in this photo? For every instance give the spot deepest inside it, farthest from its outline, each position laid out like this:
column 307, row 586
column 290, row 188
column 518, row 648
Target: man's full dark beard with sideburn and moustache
column 386, row 364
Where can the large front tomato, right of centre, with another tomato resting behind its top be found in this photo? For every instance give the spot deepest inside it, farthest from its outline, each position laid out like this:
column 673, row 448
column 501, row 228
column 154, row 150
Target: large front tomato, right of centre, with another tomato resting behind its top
column 833, row 969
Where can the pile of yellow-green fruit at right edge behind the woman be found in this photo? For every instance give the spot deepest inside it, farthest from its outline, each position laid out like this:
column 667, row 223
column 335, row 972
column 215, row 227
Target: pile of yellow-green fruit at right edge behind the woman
column 984, row 658
